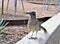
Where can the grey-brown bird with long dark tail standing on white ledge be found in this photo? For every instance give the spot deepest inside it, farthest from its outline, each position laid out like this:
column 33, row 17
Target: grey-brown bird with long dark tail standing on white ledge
column 34, row 25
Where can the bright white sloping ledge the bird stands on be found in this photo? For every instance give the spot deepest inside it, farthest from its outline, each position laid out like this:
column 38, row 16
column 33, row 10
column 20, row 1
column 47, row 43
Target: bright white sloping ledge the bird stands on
column 50, row 25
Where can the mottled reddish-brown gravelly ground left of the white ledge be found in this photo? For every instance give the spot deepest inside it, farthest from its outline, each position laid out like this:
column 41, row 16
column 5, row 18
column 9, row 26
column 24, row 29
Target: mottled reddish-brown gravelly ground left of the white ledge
column 16, row 34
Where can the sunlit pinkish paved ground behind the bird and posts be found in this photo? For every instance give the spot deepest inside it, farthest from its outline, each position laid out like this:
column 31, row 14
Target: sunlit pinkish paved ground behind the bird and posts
column 29, row 7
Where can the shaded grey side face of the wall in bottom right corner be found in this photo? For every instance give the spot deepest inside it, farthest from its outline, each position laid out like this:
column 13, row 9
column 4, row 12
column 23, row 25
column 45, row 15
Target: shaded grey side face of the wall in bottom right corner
column 55, row 37
